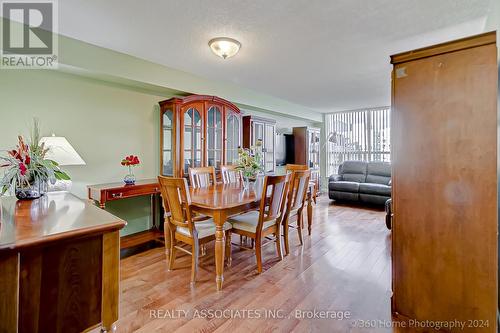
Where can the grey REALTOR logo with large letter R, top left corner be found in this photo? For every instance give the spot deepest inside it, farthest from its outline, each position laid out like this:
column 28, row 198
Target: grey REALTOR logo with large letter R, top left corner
column 29, row 38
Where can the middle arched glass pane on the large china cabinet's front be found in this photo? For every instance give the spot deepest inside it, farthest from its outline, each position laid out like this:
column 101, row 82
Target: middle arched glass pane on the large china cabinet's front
column 214, row 137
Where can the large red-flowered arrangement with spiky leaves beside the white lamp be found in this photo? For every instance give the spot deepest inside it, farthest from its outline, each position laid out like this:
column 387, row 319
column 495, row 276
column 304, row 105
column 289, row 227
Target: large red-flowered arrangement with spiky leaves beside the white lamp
column 27, row 169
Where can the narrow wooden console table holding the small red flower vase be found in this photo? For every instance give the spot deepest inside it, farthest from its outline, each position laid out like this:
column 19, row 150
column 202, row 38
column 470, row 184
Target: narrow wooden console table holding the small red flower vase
column 102, row 193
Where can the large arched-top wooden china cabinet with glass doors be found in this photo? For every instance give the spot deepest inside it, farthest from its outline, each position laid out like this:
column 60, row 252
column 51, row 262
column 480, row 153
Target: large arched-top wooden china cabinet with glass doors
column 196, row 131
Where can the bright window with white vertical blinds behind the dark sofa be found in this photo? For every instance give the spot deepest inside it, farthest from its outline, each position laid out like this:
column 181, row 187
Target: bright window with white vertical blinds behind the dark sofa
column 362, row 135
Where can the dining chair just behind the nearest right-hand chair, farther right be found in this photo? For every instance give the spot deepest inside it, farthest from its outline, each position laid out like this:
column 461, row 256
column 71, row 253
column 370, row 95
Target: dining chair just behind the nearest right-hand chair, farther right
column 297, row 193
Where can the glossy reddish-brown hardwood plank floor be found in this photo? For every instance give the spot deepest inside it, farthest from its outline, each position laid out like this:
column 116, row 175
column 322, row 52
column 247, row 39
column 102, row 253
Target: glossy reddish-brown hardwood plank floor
column 343, row 266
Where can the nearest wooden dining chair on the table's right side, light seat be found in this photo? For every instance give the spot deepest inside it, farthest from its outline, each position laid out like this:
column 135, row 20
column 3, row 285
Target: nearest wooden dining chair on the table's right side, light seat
column 267, row 220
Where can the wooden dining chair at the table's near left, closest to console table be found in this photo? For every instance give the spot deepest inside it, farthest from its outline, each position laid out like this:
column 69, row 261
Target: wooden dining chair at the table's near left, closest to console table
column 182, row 226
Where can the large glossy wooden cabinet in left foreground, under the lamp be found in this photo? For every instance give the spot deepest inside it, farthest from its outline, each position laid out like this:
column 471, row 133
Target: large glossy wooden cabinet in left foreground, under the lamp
column 59, row 265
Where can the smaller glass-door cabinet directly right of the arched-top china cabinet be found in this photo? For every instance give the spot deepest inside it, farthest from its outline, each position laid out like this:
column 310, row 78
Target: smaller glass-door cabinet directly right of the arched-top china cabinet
column 257, row 128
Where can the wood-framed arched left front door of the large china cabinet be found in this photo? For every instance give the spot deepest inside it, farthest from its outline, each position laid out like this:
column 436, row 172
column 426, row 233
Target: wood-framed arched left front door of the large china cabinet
column 192, row 124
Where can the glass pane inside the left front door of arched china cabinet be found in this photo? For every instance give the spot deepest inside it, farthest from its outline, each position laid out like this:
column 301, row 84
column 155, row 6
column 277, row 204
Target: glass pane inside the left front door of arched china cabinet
column 192, row 139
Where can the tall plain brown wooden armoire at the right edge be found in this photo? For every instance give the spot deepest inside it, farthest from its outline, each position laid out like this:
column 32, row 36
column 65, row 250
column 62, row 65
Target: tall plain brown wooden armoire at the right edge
column 444, row 183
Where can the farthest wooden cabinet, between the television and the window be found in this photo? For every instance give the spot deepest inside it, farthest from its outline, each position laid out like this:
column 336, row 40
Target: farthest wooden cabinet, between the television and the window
column 307, row 146
